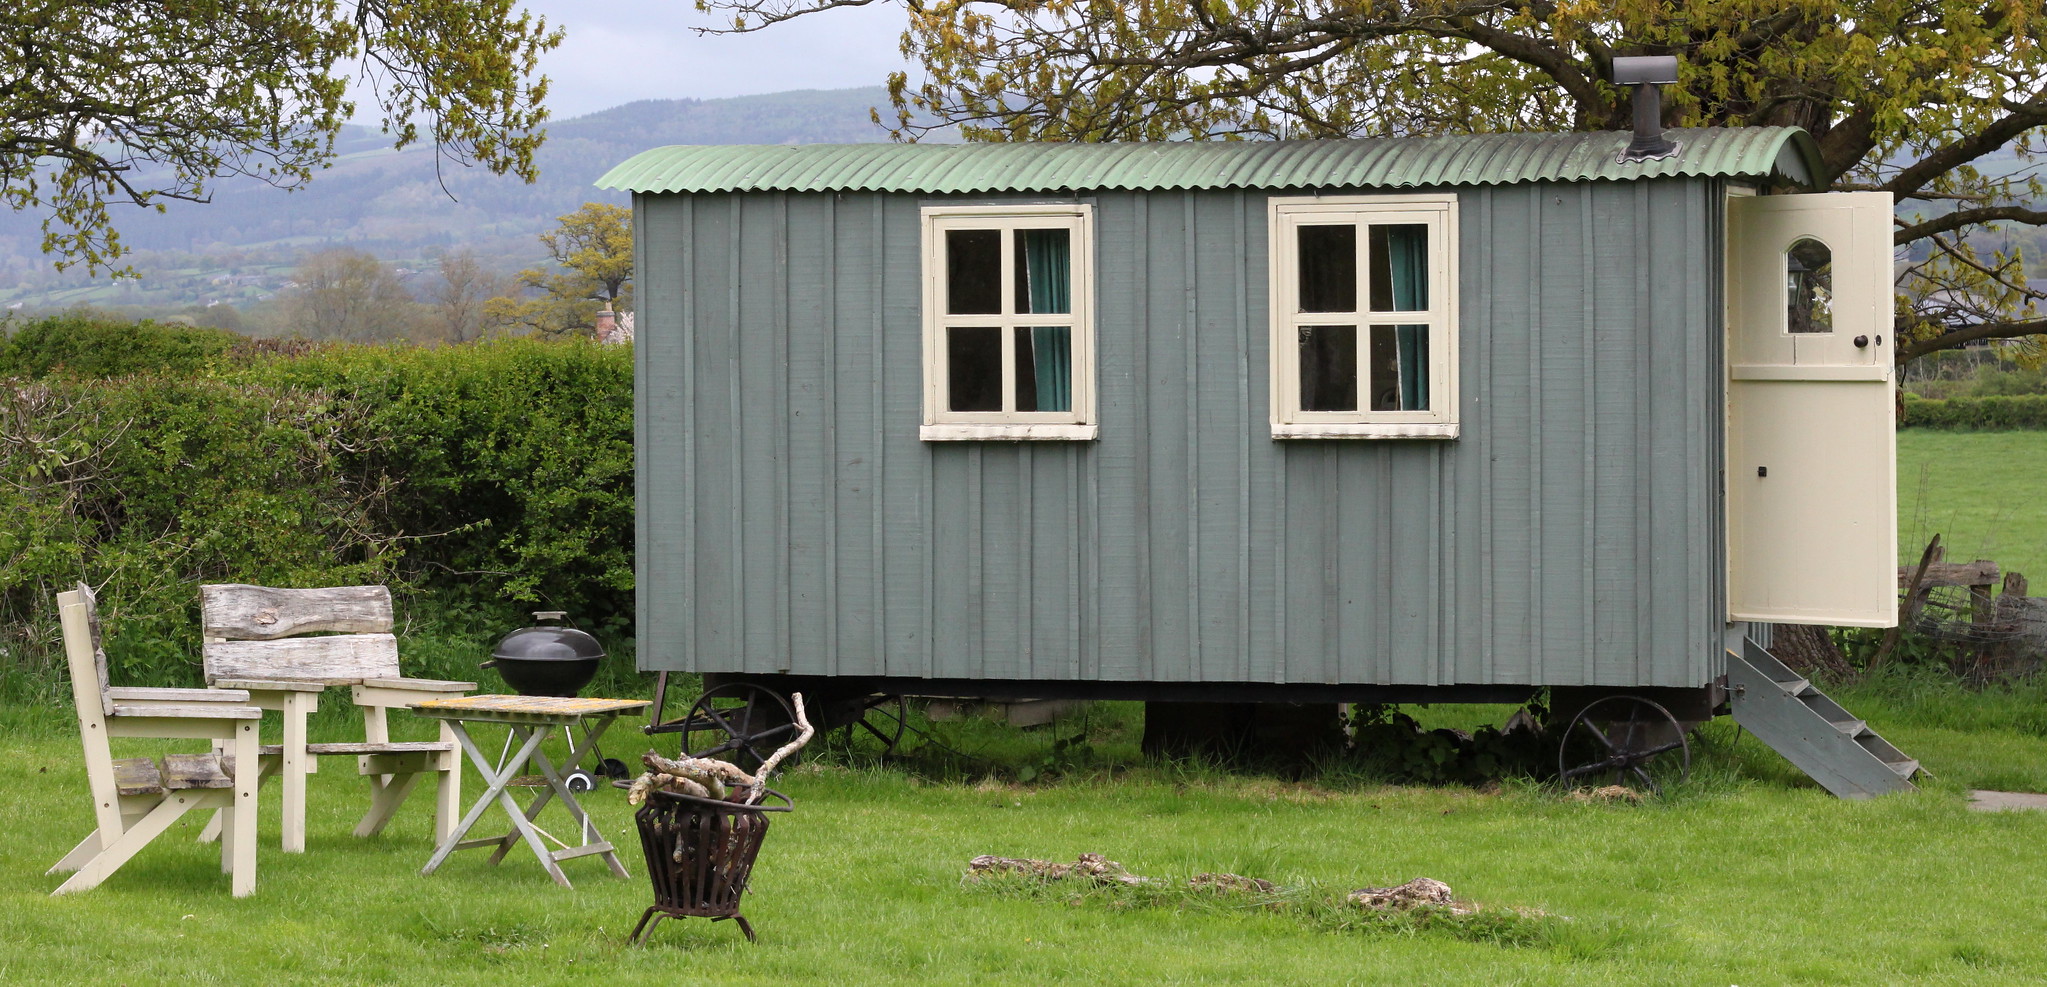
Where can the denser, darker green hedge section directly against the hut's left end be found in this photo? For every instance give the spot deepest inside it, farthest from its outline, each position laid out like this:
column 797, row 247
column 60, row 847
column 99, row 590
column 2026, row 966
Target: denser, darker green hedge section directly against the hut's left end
column 509, row 466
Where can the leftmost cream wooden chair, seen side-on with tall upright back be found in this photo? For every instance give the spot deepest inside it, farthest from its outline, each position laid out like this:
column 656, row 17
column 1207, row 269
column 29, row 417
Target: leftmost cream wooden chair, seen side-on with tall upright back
column 136, row 800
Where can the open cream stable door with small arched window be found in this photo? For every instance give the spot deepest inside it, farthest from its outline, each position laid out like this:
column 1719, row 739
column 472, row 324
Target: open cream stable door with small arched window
column 1813, row 460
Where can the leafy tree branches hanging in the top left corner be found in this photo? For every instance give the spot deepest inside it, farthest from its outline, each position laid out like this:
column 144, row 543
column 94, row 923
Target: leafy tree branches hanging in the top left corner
column 153, row 101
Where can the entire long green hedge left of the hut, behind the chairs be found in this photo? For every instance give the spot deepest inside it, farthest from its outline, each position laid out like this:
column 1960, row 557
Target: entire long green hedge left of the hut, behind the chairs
column 480, row 482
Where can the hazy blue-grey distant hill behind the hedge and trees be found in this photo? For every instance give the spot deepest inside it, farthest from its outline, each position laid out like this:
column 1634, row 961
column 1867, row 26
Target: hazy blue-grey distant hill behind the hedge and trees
column 392, row 204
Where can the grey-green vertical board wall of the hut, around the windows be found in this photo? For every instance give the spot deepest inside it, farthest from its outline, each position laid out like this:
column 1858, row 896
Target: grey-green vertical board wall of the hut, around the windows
column 791, row 521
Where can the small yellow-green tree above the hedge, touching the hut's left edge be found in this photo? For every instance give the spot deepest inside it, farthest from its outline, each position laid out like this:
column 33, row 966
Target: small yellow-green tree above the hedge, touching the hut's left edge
column 593, row 251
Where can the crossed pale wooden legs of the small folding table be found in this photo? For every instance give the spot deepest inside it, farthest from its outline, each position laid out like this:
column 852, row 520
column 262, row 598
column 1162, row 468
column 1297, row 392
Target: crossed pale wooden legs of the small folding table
column 496, row 779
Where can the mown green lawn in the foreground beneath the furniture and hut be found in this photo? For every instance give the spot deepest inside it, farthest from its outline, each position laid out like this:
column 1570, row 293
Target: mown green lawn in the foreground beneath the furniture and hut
column 1745, row 875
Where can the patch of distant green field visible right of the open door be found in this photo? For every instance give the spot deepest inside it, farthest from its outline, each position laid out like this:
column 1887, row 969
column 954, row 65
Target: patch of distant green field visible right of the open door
column 1983, row 492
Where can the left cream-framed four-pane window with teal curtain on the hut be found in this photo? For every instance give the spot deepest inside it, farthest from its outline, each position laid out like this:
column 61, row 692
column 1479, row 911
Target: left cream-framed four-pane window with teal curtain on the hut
column 1008, row 323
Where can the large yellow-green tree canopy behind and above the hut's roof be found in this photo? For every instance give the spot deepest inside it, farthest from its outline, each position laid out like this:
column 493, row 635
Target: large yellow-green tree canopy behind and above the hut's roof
column 1923, row 99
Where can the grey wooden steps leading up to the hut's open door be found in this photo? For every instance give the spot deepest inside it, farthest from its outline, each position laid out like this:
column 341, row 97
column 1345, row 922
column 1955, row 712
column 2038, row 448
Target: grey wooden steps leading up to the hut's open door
column 1813, row 732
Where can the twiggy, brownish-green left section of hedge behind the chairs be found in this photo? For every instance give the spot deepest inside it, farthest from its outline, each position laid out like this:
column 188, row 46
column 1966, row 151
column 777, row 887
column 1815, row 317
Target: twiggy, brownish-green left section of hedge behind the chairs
column 148, row 486
